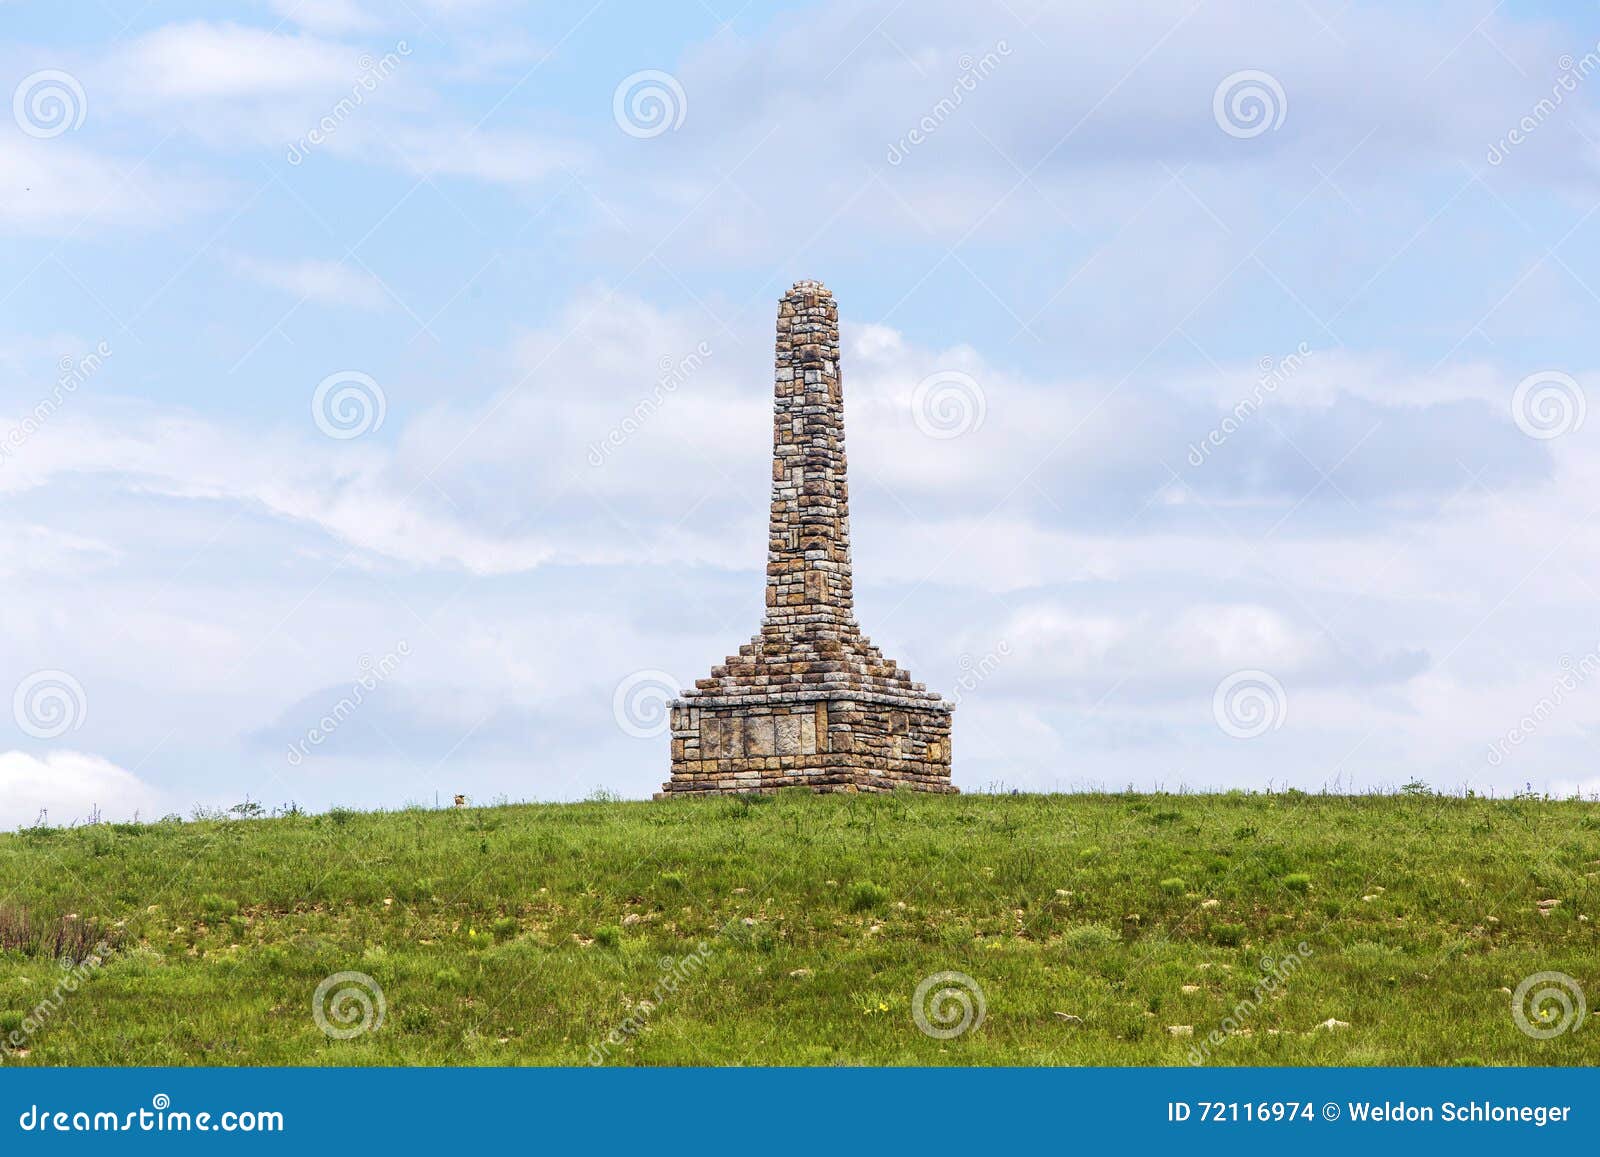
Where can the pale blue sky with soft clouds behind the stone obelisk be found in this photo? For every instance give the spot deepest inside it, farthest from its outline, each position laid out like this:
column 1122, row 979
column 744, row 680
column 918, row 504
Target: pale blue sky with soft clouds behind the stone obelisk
column 385, row 388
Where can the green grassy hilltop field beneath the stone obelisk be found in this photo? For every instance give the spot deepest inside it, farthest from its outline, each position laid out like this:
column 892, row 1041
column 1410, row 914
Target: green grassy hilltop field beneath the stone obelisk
column 798, row 929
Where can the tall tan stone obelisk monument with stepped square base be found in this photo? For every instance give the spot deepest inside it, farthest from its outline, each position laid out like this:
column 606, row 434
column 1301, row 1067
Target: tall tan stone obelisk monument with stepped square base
column 809, row 702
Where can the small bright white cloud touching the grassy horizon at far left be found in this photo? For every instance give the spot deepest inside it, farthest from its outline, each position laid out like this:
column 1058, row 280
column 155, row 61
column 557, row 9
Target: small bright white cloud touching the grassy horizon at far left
column 70, row 787
